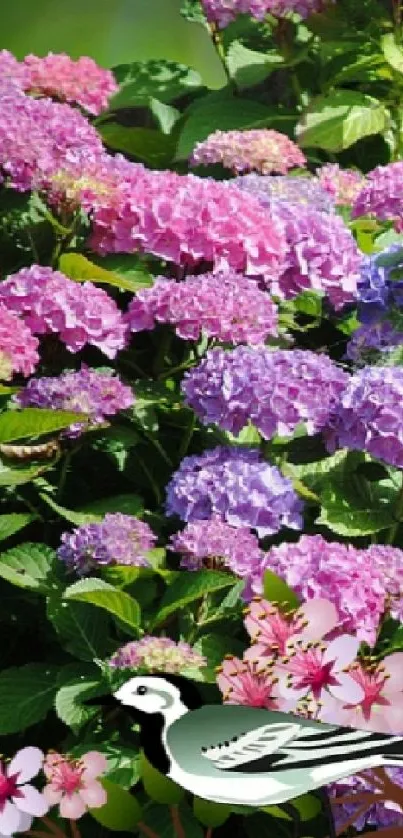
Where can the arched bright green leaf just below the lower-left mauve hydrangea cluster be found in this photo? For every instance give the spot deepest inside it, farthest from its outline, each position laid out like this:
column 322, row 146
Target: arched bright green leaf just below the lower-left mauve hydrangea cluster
column 101, row 594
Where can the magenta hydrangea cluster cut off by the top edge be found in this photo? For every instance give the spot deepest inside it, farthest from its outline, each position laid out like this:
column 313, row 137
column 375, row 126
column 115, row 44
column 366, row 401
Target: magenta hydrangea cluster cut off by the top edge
column 222, row 12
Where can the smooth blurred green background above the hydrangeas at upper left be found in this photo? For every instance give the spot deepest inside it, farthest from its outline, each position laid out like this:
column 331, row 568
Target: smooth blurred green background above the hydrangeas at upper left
column 111, row 31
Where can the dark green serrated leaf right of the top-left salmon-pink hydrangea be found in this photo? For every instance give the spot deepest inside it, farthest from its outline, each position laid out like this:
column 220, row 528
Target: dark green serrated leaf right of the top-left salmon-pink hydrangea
column 157, row 79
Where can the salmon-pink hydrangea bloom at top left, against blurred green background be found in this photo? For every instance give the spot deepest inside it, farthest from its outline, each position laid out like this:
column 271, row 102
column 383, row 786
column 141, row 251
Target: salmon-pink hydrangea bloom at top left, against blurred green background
column 82, row 81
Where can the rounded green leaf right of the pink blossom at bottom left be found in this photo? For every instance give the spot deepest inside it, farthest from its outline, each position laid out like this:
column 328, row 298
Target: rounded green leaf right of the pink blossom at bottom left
column 121, row 812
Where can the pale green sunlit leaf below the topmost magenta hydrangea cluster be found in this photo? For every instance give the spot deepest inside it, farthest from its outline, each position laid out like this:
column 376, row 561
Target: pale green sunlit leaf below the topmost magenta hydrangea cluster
column 248, row 67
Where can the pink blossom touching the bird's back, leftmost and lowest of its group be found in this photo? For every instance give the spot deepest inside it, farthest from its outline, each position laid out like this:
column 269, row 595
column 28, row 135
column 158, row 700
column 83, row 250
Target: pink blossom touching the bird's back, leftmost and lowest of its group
column 247, row 682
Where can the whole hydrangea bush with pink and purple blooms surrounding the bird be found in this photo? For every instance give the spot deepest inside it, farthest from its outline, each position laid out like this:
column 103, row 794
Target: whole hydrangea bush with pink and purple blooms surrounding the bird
column 201, row 445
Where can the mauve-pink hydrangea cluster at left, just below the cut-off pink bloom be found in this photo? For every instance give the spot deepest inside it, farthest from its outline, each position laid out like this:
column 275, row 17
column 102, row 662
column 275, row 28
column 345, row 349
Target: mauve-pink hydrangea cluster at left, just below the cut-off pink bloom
column 97, row 394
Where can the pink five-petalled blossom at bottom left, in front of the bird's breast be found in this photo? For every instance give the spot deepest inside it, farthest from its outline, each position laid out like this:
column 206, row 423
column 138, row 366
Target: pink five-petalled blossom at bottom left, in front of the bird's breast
column 74, row 783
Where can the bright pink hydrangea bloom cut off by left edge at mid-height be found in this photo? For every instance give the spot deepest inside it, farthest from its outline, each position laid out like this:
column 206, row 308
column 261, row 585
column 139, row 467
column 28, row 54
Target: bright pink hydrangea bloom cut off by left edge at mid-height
column 18, row 346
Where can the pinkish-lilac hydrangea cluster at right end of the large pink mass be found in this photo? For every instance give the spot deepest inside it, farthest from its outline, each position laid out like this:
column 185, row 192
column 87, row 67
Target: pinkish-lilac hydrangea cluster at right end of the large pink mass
column 322, row 255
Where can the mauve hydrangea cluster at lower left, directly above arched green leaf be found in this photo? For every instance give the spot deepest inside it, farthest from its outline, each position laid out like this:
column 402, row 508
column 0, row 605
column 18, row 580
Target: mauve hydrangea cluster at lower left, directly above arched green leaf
column 118, row 539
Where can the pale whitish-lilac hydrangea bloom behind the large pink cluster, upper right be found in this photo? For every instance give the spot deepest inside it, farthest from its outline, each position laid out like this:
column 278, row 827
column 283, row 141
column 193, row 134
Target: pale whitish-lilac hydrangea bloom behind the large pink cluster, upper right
column 302, row 191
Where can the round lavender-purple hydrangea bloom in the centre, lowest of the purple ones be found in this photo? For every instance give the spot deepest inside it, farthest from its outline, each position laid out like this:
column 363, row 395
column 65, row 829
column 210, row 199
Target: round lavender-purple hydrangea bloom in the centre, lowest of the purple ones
column 237, row 485
